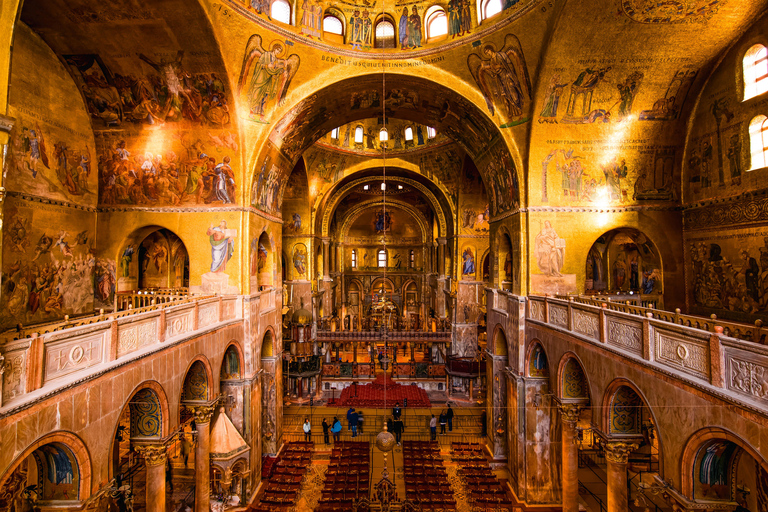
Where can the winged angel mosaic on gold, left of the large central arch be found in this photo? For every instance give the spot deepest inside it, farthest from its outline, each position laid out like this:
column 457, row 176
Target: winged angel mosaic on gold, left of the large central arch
column 268, row 75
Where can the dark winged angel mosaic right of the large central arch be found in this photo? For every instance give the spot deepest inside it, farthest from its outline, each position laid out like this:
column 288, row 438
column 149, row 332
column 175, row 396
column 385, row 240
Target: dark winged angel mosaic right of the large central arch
column 502, row 77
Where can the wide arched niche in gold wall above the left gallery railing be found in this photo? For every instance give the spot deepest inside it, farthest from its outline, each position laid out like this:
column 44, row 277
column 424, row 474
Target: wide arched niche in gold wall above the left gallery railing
column 153, row 258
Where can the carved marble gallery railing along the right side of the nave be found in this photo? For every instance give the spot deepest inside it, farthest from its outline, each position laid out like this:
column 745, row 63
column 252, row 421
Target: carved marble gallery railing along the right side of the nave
column 695, row 350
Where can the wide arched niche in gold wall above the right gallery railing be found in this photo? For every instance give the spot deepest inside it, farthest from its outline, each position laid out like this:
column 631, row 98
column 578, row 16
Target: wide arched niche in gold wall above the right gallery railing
column 623, row 260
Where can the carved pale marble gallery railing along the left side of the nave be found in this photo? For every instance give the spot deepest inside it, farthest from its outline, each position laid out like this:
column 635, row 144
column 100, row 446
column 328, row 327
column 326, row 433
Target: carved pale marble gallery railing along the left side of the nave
column 52, row 356
